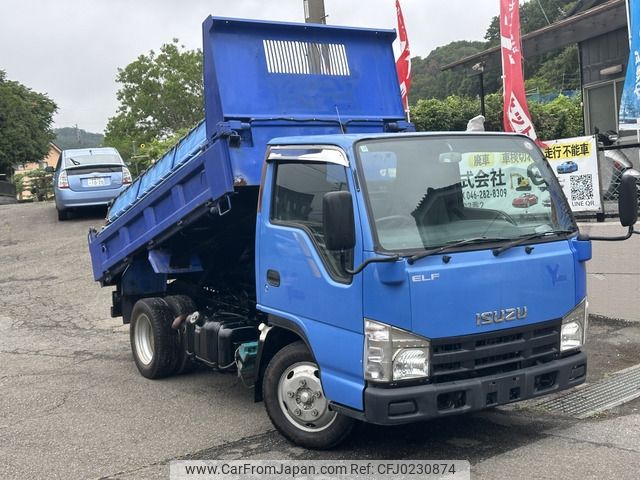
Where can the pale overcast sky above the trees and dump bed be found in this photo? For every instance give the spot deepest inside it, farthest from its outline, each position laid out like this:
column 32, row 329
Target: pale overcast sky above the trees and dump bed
column 72, row 49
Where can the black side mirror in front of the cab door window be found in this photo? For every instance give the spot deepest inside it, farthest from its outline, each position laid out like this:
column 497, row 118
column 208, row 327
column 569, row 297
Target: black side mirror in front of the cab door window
column 338, row 221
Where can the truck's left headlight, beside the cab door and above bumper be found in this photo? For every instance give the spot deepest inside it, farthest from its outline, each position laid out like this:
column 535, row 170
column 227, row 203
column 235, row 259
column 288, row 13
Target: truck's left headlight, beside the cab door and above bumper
column 392, row 354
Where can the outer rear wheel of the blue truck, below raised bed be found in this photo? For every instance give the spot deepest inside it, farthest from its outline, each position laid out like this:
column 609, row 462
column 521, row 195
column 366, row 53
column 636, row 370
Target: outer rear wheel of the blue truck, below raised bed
column 152, row 342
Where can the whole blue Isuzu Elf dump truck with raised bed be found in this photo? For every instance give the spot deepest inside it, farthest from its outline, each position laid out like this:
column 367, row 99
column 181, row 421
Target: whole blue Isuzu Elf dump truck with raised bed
column 305, row 237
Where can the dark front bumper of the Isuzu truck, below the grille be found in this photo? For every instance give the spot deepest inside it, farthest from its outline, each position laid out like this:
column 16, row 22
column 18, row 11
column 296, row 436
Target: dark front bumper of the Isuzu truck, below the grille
column 392, row 406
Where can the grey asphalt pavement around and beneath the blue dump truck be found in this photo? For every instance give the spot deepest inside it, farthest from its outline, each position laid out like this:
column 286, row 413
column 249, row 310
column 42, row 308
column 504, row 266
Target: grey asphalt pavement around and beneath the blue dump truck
column 73, row 406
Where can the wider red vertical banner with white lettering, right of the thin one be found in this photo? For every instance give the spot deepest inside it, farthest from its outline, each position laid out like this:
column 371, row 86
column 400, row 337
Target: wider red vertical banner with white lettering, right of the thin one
column 516, row 113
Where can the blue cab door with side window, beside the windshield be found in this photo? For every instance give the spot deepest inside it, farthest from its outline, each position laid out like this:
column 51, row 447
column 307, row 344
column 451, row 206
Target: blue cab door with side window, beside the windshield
column 302, row 284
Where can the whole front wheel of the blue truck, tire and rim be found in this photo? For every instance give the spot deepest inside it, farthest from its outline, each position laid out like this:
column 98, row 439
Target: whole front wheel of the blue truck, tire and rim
column 295, row 401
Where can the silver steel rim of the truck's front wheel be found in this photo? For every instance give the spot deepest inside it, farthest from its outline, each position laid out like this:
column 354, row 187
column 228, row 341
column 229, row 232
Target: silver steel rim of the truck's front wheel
column 302, row 399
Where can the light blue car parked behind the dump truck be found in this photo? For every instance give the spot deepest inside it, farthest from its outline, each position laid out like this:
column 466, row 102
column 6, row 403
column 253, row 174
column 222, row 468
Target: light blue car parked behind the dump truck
column 88, row 177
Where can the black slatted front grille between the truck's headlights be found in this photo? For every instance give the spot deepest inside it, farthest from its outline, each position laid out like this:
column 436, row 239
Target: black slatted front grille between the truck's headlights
column 457, row 358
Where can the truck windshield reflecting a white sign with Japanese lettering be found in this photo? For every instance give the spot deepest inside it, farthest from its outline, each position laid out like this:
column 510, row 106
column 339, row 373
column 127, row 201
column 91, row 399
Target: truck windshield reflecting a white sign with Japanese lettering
column 430, row 191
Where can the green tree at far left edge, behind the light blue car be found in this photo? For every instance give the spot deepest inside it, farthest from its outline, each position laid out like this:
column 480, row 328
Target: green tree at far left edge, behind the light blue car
column 25, row 124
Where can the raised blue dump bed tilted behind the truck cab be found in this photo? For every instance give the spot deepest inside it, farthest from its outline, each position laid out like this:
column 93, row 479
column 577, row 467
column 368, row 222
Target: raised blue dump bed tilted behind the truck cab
column 262, row 80
